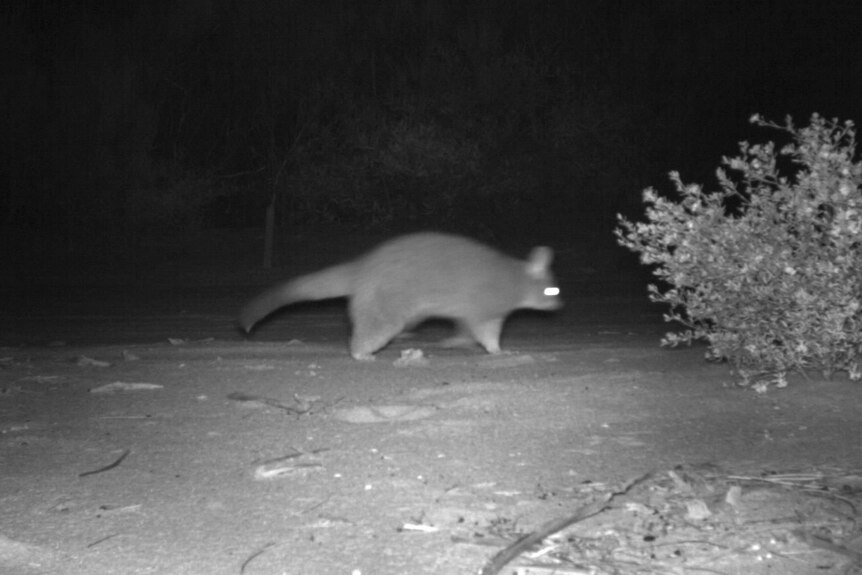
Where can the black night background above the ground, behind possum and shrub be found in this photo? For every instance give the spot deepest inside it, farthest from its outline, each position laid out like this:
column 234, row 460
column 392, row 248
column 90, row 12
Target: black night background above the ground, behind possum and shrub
column 126, row 123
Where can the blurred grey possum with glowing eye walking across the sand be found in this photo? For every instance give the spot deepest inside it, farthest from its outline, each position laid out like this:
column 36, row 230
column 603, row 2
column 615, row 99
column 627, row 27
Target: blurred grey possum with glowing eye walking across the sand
column 415, row 277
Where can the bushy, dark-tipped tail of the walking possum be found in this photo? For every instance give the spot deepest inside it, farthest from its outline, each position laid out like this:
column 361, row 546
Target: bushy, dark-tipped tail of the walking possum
column 333, row 282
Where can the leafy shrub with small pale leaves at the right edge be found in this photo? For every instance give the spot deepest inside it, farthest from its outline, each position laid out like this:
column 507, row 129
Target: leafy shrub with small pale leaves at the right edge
column 767, row 269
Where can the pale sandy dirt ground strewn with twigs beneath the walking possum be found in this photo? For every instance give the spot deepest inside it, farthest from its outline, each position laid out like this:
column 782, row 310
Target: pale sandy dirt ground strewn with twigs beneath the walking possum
column 141, row 433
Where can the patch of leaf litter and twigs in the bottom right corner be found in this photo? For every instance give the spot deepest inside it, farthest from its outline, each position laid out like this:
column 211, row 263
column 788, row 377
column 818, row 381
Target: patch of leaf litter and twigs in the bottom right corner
column 698, row 520
